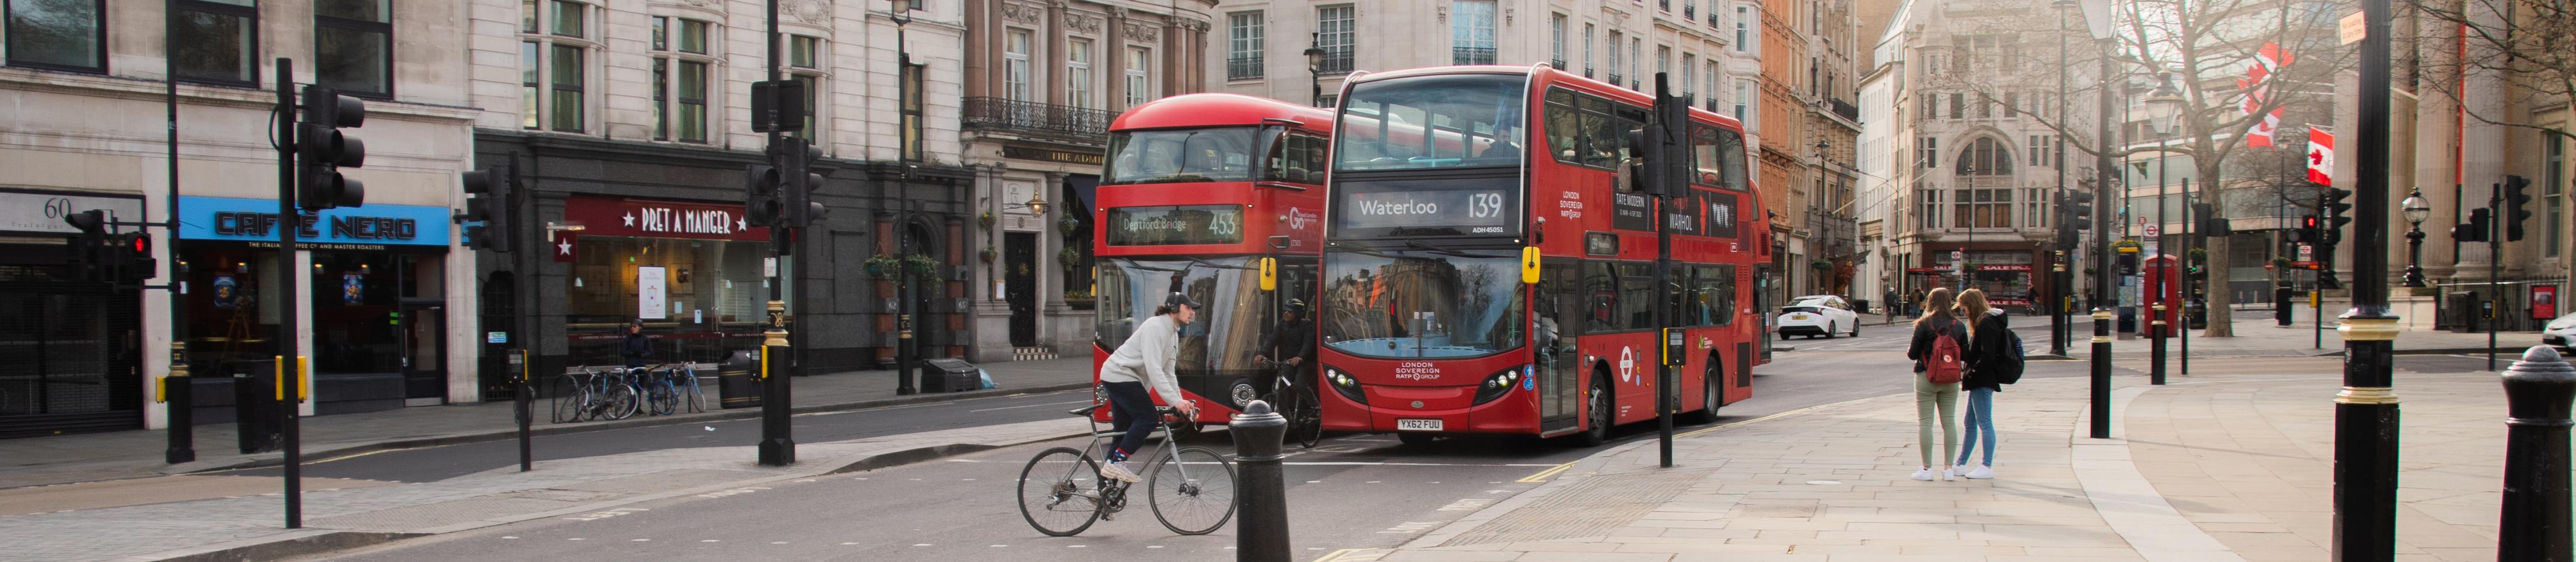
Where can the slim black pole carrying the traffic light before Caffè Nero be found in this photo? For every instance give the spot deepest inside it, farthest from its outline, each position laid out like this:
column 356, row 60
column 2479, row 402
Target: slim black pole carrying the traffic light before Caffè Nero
column 290, row 223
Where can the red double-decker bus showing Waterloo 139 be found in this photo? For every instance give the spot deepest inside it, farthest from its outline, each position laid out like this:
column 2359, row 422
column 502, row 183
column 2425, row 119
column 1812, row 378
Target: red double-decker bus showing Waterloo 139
column 1439, row 184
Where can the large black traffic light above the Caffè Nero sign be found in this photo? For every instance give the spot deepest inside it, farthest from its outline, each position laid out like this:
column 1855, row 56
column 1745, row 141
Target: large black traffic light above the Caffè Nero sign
column 323, row 151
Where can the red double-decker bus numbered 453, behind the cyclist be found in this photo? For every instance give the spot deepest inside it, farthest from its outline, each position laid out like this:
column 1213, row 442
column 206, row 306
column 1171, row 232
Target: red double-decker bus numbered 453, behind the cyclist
column 1194, row 197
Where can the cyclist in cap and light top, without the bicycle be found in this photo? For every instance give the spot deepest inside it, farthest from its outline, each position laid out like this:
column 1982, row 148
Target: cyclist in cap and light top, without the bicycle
column 1145, row 360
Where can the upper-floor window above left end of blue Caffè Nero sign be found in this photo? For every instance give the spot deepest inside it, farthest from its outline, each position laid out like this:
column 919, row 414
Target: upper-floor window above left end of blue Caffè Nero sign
column 215, row 43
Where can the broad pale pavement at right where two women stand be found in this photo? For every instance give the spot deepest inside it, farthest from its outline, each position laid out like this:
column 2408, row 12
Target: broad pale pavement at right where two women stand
column 2230, row 465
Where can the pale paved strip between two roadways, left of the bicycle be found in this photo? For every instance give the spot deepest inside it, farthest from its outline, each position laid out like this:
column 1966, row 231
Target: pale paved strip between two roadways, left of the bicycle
column 251, row 527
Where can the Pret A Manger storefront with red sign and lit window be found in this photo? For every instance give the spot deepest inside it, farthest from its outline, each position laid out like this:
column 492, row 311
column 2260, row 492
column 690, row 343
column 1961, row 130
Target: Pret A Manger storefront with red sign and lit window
column 692, row 272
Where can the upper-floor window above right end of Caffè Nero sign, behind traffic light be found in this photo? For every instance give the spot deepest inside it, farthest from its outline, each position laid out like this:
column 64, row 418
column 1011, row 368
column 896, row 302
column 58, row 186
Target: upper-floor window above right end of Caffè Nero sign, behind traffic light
column 354, row 48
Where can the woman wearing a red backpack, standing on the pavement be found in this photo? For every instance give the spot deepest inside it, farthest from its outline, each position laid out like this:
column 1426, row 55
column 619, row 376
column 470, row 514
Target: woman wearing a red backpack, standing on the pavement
column 1941, row 362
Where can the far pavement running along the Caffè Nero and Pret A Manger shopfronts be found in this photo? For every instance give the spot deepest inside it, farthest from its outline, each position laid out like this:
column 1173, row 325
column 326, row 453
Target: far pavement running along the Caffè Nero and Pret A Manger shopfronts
column 140, row 452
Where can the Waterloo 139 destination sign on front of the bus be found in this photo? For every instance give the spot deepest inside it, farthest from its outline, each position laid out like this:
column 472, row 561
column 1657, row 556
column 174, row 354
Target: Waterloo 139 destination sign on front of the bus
column 1403, row 210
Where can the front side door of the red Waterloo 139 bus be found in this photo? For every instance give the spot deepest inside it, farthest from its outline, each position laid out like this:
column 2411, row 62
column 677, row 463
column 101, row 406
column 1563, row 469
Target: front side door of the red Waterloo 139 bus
column 1557, row 318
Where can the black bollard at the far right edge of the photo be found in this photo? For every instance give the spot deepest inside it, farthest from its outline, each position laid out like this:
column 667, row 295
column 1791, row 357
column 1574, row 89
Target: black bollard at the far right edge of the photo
column 2536, row 458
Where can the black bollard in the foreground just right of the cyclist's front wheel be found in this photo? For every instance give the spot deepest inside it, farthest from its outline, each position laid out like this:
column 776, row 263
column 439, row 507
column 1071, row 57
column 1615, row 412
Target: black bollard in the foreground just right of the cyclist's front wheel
column 1261, row 527
